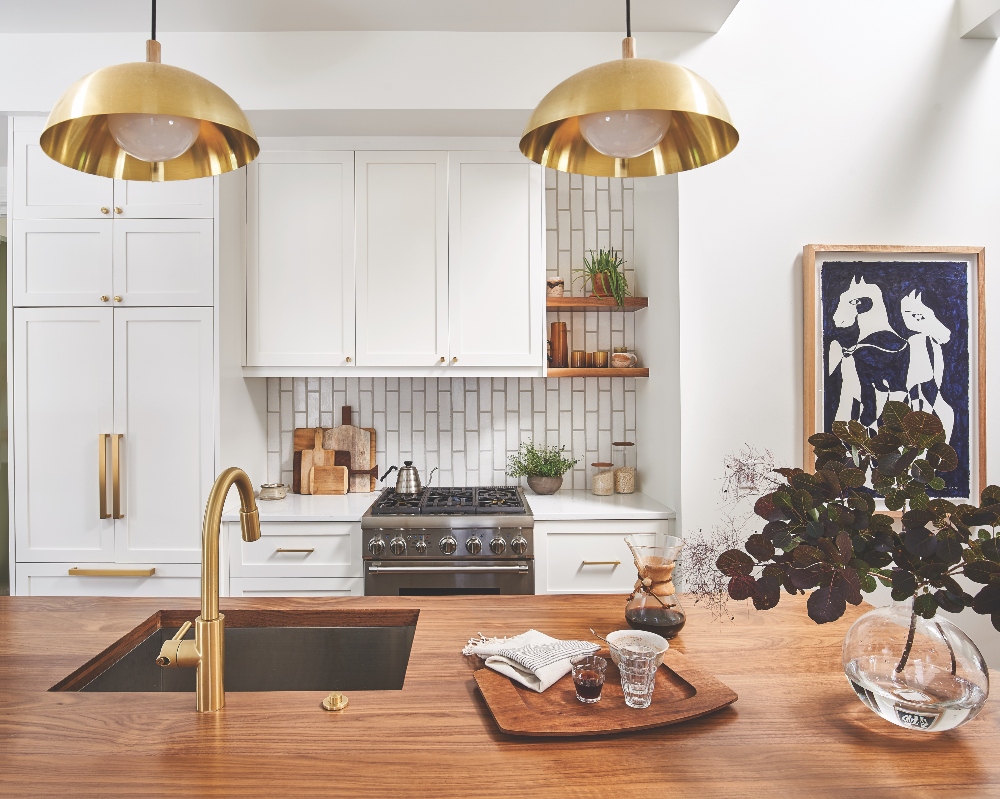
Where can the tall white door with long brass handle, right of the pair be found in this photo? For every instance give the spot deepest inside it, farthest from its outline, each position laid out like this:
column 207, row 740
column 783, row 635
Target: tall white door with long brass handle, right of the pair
column 164, row 393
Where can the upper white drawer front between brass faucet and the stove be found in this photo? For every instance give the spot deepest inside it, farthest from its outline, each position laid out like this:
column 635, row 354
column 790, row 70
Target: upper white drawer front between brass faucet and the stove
column 298, row 549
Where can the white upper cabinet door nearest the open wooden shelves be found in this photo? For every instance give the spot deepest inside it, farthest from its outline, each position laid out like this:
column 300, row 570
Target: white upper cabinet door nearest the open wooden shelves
column 497, row 271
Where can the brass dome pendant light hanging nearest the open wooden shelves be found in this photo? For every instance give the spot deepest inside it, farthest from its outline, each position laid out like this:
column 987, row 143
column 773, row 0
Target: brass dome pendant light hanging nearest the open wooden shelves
column 635, row 117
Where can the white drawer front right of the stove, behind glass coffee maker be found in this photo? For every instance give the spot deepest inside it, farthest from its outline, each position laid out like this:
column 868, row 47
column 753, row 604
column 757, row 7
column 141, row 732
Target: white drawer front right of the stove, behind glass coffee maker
column 589, row 563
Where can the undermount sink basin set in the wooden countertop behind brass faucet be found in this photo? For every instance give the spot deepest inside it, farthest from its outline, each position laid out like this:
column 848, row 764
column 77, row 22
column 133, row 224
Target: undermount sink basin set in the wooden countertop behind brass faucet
column 276, row 650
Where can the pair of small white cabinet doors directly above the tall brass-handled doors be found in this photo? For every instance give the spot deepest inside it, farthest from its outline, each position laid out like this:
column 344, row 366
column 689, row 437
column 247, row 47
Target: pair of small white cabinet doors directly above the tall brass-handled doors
column 125, row 262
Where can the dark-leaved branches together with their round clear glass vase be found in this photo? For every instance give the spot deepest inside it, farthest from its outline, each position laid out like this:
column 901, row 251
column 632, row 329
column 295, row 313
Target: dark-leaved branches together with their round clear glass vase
column 823, row 535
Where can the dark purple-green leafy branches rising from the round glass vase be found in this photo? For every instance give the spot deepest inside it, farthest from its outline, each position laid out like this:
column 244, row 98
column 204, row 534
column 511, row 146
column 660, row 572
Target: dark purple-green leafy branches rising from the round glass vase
column 823, row 533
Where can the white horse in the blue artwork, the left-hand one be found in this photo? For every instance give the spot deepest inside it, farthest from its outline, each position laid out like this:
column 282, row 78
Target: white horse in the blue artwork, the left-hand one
column 873, row 371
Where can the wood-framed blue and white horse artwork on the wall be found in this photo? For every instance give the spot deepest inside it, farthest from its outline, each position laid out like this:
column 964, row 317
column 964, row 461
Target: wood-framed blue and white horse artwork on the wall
column 898, row 323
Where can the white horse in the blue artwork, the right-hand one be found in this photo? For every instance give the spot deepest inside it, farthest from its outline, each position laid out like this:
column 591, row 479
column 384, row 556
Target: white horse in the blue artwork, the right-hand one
column 926, row 370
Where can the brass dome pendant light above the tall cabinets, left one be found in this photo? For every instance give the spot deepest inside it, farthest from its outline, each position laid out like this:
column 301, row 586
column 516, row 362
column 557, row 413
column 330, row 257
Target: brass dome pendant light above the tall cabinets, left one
column 148, row 121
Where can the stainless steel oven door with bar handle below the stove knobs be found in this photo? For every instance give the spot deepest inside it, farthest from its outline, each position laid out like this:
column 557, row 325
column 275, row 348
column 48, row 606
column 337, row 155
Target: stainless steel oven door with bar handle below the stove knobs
column 449, row 578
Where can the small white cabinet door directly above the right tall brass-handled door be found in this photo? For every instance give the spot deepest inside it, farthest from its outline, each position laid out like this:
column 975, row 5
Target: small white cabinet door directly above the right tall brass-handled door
column 164, row 261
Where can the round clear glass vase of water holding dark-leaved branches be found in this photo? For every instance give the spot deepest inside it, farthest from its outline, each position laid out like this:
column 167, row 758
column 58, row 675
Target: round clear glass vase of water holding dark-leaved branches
column 920, row 674
